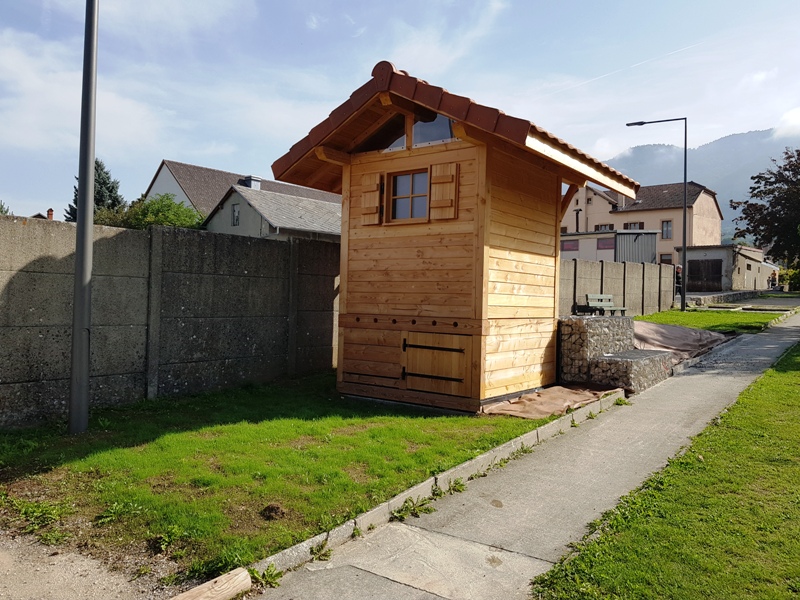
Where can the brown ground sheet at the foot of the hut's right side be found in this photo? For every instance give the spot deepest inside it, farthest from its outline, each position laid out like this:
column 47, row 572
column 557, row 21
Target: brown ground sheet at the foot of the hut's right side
column 555, row 400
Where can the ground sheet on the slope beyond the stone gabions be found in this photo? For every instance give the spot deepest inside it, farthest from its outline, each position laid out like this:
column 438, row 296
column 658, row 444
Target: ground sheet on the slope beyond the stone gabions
column 683, row 342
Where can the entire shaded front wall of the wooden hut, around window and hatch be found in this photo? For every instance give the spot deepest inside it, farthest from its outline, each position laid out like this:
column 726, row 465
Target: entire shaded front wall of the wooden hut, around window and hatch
column 402, row 278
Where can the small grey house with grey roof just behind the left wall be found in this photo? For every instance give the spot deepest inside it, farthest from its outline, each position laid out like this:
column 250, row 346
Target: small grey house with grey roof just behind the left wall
column 263, row 213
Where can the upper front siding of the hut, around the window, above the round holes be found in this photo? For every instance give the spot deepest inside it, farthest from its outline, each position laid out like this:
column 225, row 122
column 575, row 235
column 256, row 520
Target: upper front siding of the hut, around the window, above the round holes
column 413, row 269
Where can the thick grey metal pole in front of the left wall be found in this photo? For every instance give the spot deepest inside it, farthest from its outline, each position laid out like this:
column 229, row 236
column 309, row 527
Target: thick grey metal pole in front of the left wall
column 82, row 297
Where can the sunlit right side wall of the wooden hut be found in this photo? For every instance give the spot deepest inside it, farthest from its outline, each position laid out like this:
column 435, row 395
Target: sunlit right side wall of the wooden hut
column 520, row 345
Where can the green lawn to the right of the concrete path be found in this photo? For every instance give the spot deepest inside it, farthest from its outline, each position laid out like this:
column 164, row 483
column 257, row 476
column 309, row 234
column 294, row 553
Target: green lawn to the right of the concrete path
column 721, row 521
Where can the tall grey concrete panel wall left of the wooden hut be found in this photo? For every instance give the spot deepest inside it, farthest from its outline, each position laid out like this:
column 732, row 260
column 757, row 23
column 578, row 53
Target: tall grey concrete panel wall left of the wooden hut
column 173, row 311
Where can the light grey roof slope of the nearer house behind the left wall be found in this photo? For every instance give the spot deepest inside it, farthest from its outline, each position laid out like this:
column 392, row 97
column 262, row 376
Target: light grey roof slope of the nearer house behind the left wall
column 293, row 212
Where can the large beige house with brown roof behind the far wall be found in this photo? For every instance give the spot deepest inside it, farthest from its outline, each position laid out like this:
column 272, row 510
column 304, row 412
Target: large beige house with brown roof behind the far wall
column 655, row 207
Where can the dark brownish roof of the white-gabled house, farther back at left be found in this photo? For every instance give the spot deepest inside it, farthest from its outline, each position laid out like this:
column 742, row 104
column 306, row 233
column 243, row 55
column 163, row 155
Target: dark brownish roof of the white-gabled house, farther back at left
column 205, row 187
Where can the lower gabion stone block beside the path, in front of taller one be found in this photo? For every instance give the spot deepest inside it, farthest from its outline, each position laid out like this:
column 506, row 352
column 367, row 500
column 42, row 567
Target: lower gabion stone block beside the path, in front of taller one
column 632, row 370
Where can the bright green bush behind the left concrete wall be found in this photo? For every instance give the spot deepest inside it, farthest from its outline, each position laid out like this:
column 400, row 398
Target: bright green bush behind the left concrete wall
column 158, row 210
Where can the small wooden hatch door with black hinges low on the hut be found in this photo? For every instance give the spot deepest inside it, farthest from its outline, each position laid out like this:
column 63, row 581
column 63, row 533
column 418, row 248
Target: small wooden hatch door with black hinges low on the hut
column 437, row 362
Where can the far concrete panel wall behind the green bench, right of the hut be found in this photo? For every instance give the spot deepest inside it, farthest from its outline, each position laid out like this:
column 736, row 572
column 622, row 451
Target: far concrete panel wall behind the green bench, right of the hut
column 643, row 288
